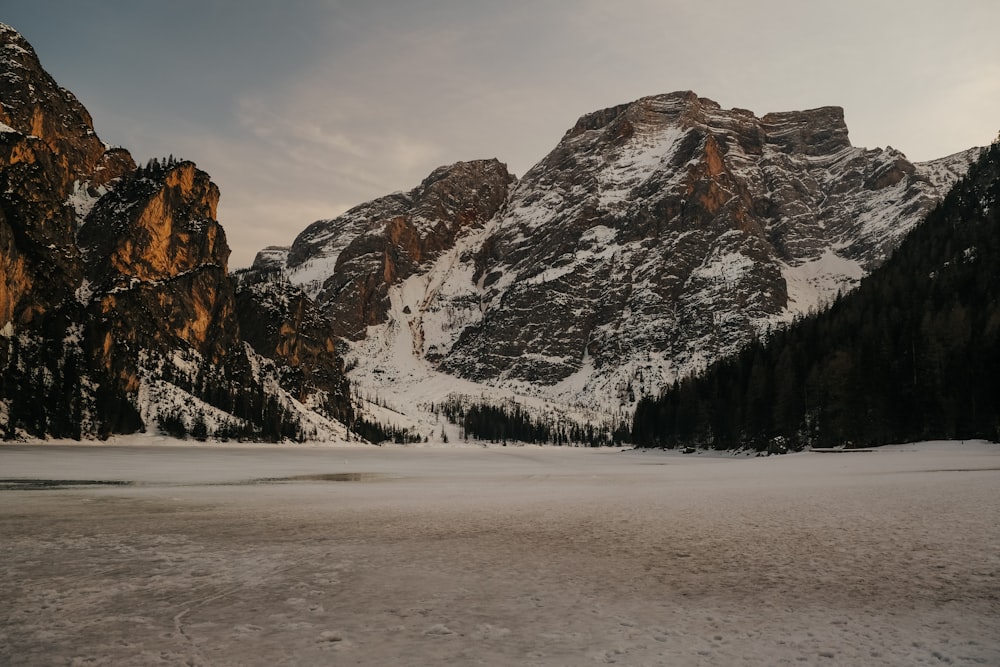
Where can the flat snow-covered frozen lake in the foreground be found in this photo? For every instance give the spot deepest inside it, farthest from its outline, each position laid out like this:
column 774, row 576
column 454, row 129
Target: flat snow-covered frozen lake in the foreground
column 498, row 556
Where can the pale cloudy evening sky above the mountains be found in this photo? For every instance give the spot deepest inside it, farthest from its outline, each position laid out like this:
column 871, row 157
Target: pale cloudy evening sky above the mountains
column 302, row 109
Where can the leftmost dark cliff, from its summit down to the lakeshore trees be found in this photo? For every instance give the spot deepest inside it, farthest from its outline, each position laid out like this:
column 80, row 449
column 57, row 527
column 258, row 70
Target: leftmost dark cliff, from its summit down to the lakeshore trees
column 52, row 168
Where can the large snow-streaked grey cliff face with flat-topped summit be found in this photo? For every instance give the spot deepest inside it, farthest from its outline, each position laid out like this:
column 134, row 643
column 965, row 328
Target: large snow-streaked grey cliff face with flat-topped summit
column 665, row 233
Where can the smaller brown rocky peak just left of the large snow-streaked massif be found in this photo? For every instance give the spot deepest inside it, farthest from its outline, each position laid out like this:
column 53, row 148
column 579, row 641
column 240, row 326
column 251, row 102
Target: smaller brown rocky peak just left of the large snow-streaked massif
column 349, row 263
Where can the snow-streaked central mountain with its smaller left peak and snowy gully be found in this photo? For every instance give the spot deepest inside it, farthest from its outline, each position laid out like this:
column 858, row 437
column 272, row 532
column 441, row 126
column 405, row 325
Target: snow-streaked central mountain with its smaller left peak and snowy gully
column 657, row 236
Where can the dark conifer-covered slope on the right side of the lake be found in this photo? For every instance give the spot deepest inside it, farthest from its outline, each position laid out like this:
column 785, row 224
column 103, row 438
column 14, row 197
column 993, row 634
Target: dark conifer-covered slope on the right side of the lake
column 912, row 354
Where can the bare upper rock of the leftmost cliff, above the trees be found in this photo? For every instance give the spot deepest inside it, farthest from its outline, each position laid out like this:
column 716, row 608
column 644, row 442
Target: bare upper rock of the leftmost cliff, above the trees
column 50, row 158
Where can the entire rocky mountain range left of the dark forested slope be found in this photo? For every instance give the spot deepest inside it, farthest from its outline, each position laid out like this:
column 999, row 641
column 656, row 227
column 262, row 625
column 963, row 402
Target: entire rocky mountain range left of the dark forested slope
column 657, row 237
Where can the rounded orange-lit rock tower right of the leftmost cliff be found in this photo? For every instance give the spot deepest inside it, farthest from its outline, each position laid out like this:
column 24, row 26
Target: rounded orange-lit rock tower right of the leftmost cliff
column 156, row 269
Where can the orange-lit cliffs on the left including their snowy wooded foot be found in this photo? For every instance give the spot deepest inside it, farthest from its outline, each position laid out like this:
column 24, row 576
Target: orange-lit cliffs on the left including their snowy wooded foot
column 117, row 312
